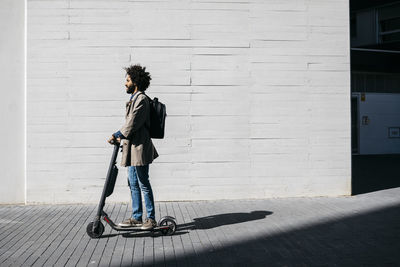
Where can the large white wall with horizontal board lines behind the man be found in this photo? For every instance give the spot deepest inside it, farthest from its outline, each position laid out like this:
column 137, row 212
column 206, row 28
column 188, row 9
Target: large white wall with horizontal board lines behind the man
column 257, row 96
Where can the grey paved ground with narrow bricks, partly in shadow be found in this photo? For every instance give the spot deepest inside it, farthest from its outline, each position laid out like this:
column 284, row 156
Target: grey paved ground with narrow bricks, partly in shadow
column 342, row 231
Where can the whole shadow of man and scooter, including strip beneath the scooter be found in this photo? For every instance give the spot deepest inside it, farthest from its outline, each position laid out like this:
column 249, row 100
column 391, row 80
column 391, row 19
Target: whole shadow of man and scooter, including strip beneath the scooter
column 208, row 222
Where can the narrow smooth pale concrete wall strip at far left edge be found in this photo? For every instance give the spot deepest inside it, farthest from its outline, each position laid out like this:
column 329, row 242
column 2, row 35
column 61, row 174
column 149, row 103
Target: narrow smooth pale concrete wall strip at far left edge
column 12, row 101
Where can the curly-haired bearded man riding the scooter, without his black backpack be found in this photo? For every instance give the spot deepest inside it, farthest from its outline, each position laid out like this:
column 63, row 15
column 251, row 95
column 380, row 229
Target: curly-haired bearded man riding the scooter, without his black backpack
column 138, row 150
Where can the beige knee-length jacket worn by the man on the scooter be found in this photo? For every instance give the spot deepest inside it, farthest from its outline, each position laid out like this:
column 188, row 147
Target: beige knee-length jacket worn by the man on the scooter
column 137, row 148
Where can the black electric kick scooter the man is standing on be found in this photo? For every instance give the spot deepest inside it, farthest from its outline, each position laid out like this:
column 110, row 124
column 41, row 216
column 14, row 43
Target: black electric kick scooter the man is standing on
column 166, row 225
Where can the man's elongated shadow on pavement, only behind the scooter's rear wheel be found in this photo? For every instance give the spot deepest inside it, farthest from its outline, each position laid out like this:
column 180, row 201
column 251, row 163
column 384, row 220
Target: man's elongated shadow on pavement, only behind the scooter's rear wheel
column 217, row 220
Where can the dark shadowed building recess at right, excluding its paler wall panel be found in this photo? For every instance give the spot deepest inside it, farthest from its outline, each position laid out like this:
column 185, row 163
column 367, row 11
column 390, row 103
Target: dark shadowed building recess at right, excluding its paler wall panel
column 375, row 68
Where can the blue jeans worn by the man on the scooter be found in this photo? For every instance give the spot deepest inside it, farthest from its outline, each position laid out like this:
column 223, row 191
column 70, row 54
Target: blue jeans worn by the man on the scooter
column 138, row 177
